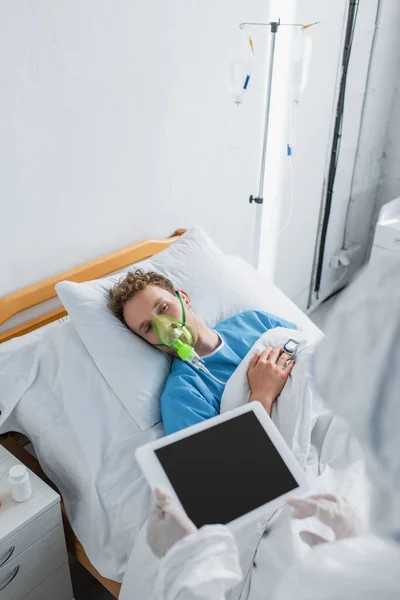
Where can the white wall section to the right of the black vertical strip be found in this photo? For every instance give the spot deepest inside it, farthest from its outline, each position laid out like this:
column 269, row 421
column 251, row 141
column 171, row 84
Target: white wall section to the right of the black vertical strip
column 359, row 171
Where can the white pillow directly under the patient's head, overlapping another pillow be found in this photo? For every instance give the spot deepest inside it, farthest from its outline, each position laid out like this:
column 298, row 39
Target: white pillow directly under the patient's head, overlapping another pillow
column 132, row 368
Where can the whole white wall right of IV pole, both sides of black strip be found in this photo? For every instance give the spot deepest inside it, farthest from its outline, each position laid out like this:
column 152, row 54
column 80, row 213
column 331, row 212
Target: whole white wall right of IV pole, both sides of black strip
column 291, row 255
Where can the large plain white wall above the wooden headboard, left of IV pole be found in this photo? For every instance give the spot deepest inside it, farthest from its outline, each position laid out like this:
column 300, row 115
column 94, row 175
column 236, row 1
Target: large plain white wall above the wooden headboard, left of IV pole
column 116, row 125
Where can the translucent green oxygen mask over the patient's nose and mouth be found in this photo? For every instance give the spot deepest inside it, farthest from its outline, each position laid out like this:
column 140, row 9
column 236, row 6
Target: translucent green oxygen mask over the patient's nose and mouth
column 174, row 334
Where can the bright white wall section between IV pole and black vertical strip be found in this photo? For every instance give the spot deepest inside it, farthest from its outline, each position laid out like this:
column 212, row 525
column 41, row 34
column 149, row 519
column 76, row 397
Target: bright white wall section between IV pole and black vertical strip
column 290, row 256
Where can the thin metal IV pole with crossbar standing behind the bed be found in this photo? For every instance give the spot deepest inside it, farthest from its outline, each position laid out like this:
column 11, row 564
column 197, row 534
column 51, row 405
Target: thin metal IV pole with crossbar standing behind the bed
column 258, row 200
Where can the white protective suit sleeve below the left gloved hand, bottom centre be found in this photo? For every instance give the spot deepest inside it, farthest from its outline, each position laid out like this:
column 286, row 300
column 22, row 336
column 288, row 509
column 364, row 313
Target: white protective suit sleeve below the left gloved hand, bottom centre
column 202, row 566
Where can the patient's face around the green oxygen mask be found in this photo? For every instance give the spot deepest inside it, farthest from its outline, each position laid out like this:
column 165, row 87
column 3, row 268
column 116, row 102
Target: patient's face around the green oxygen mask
column 140, row 310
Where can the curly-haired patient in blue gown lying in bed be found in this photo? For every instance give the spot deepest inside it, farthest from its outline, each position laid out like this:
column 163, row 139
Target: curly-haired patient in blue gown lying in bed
column 190, row 395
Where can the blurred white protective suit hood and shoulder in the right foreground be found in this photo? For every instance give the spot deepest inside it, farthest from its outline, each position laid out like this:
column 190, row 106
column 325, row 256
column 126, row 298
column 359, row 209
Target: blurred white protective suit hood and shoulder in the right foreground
column 363, row 344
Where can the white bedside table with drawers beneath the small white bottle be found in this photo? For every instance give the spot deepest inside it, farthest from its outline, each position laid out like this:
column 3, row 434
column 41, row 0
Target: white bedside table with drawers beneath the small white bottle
column 33, row 556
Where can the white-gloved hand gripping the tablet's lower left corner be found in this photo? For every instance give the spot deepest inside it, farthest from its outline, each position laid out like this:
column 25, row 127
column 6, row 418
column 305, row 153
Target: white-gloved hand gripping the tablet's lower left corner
column 167, row 524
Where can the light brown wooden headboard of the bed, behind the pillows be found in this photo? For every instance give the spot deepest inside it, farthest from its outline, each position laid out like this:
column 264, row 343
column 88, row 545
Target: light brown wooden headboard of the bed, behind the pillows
column 44, row 290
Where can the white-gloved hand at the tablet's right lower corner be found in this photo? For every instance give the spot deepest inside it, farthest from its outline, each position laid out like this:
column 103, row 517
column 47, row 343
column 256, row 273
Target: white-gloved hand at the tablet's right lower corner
column 331, row 510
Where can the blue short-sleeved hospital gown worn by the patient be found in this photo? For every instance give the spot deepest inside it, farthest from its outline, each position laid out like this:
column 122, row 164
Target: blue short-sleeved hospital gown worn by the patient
column 191, row 396
